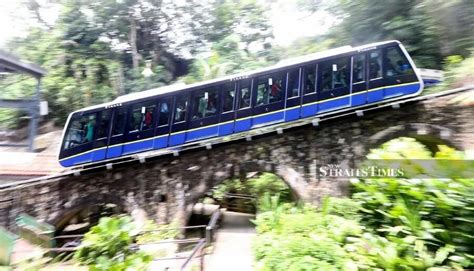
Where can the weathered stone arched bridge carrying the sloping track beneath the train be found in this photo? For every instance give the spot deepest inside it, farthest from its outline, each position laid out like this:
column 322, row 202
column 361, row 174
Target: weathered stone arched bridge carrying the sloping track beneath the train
column 166, row 188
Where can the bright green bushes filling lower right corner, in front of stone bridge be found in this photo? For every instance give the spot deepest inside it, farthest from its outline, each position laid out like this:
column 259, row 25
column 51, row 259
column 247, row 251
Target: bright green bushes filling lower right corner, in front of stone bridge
column 388, row 224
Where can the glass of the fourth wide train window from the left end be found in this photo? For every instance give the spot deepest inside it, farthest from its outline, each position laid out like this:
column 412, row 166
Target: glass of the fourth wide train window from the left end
column 270, row 89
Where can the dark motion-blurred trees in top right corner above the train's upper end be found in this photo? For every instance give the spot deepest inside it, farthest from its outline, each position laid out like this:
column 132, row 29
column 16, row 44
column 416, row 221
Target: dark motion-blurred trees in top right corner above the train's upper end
column 430, row 30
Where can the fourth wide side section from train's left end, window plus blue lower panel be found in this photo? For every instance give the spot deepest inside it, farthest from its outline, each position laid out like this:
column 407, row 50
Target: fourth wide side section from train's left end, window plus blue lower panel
column 269, row 98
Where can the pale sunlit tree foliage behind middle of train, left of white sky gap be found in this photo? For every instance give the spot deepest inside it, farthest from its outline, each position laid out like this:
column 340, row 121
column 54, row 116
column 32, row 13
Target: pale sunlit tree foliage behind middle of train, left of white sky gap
column 240, row 34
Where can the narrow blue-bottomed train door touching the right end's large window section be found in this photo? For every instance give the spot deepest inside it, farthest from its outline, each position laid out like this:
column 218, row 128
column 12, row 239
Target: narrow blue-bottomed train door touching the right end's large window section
column 375, row 84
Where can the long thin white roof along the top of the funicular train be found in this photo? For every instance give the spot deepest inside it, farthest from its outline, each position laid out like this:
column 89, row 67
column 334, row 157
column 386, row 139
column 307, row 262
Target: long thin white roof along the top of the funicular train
column 283, row 63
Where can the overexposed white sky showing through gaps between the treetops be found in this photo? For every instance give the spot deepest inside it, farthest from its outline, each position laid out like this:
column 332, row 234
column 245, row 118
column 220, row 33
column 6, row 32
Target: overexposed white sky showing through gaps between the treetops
column 288, row 23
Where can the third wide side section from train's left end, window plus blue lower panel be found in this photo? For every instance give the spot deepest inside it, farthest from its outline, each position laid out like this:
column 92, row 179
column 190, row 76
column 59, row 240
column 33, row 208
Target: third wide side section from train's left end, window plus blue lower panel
column 204, row 115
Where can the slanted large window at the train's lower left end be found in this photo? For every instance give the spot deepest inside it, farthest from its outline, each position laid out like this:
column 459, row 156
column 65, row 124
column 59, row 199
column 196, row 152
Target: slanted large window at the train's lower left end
column 80, row 131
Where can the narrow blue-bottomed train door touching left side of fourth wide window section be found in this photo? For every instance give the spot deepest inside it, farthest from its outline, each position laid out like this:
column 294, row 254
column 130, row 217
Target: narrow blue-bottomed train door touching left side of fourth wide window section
column 243, row 114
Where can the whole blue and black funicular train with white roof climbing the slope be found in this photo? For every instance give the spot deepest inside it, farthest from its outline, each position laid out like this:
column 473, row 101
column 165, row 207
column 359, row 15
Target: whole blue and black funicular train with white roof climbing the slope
column 335, row 80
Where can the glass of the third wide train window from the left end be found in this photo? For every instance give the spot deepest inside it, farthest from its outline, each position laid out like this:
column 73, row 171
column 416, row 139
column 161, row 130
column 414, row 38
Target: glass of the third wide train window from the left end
column 205, row 104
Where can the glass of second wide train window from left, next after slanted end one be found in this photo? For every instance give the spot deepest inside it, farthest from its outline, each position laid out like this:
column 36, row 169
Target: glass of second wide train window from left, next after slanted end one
column 142, row 117
